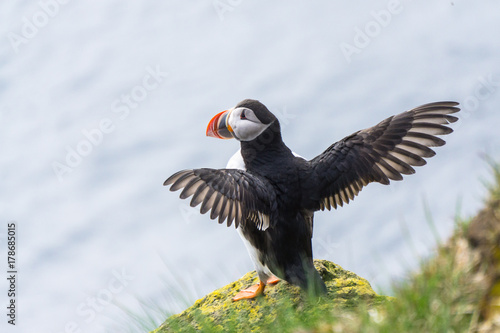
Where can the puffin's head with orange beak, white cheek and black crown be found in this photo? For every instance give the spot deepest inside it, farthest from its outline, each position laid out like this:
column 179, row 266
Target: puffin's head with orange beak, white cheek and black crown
column 245, row 122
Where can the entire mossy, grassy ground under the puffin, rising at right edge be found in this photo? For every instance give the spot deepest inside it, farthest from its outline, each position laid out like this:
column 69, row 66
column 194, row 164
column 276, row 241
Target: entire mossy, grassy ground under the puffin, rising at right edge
column 458, row 290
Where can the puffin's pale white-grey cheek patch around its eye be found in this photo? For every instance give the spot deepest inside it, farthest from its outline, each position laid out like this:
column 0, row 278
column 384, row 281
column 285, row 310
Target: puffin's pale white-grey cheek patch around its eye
column 244, row 125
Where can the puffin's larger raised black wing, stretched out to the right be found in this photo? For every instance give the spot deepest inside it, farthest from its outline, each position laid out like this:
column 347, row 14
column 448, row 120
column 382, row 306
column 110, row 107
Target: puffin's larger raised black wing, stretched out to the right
column 380, row 153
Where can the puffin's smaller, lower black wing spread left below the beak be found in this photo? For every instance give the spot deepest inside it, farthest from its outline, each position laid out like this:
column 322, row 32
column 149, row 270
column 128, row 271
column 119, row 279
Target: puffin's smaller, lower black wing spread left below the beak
column 230, row 194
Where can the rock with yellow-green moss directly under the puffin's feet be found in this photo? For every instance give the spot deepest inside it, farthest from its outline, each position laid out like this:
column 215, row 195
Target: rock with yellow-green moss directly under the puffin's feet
column 283, row 301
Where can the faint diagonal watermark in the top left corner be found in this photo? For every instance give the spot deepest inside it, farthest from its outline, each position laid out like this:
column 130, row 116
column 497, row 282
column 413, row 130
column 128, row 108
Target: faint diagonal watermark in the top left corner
column 47, row 10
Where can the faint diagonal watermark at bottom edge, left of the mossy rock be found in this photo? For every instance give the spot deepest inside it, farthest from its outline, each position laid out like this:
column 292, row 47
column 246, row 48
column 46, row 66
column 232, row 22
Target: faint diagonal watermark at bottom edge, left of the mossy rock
column 88, row 310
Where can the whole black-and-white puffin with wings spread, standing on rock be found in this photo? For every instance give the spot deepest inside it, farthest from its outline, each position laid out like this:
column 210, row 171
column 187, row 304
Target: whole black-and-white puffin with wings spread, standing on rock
column 270, row 193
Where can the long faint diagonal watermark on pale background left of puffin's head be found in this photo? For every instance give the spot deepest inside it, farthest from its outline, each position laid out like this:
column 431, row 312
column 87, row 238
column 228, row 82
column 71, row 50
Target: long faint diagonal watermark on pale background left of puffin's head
column 121, row 108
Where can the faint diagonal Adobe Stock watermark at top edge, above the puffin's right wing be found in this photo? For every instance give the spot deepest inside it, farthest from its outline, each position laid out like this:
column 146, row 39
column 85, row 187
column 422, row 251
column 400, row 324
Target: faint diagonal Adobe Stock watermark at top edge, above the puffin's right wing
column 371, row 30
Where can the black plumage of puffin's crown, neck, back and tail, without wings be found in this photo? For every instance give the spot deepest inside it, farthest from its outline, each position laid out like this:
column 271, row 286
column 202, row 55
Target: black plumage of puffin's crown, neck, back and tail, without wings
column 285, row 247
